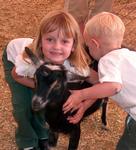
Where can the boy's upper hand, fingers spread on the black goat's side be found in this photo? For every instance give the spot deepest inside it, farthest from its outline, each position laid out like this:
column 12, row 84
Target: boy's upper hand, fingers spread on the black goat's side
column 73, row 101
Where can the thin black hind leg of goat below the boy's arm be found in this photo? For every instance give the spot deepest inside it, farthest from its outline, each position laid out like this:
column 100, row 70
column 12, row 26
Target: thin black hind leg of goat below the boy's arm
column 103, row 116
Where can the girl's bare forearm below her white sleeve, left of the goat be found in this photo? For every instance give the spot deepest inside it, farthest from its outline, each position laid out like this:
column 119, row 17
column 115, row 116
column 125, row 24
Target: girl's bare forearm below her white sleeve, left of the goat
column 26, row 81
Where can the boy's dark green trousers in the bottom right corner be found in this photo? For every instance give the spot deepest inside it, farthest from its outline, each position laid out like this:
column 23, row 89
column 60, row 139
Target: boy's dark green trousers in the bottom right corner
column 128, row 139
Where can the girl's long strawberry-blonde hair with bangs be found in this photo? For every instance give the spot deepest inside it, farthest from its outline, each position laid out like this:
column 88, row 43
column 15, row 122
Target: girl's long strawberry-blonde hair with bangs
column 68, row 27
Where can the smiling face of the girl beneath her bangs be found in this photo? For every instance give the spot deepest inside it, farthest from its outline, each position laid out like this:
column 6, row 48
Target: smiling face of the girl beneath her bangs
column 56, row 47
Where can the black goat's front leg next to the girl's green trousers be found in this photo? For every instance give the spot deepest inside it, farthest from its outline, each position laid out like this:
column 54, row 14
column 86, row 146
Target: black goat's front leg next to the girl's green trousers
column 53, row 138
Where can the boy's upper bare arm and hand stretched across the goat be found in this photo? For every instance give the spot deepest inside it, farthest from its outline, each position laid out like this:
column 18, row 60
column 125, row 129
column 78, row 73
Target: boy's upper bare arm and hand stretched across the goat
column 99, row 90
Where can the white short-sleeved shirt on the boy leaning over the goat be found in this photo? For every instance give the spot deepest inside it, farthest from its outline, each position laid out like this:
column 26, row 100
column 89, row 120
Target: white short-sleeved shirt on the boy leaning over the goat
column 120, row 66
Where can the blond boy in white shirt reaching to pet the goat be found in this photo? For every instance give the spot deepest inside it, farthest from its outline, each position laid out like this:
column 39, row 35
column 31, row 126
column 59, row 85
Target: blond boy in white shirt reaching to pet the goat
column 117, row 73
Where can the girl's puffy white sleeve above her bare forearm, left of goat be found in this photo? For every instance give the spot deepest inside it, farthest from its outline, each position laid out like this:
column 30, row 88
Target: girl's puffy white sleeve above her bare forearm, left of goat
column 24, row 67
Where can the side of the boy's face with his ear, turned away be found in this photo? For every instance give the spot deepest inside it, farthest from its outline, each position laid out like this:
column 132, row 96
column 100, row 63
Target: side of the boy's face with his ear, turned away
column 93, row 45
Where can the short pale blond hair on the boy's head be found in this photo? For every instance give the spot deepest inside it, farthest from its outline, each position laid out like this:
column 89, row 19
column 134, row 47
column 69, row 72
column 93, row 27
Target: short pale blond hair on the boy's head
column 106, row 26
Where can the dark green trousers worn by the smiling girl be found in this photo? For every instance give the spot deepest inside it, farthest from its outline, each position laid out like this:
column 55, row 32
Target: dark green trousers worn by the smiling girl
column 31, row 125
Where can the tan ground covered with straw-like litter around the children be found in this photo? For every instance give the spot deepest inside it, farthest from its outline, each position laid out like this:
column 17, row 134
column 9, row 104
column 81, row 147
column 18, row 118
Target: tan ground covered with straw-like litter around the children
column 20, row 18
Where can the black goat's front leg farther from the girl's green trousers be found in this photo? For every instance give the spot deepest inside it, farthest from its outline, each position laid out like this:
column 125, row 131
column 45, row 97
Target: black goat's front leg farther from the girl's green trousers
column 74, row 137
